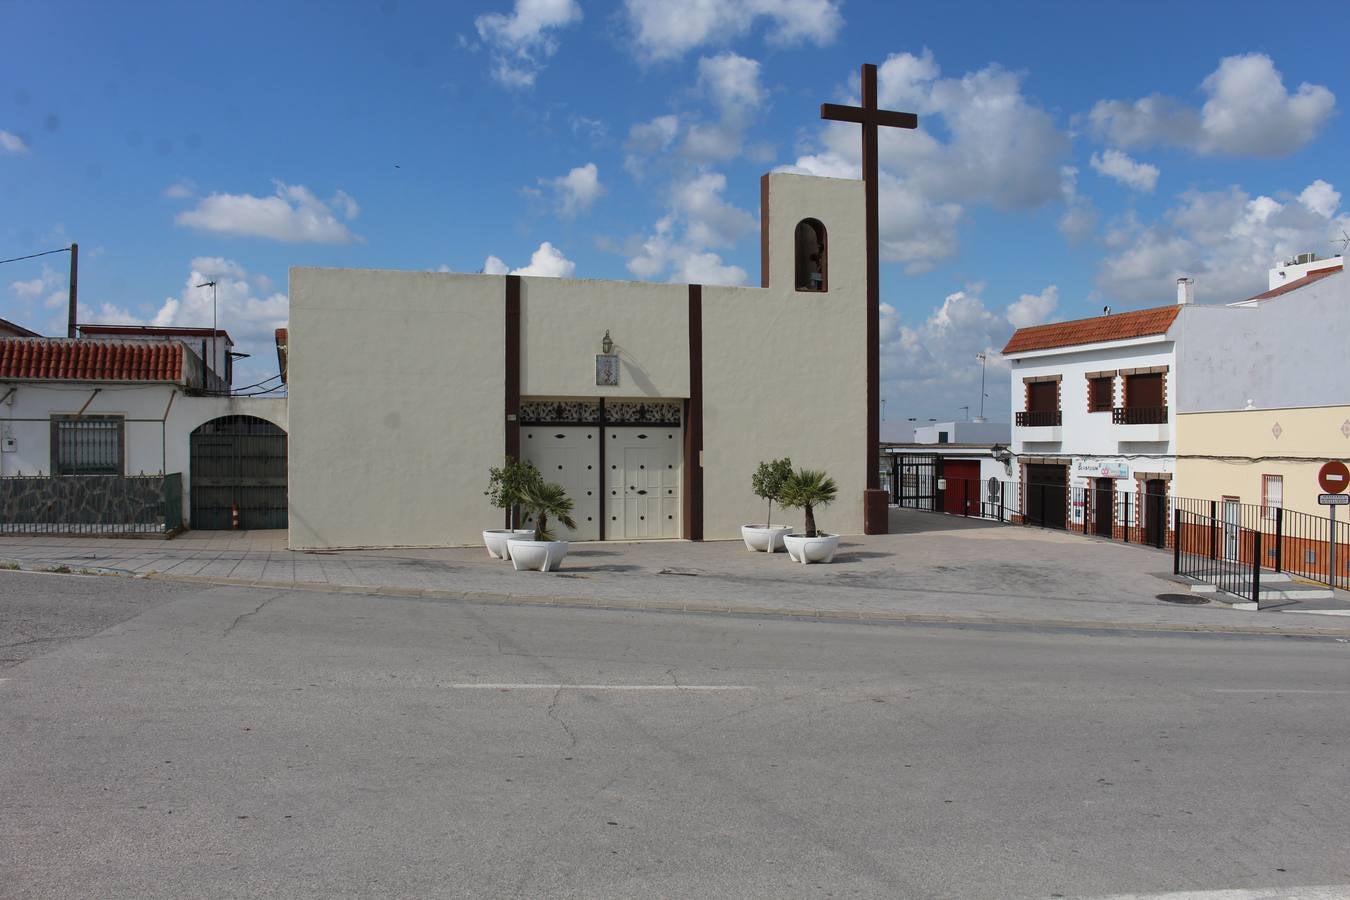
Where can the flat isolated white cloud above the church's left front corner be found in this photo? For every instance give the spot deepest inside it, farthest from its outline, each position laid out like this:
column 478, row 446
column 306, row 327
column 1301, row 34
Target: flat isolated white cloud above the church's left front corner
column 294, row 215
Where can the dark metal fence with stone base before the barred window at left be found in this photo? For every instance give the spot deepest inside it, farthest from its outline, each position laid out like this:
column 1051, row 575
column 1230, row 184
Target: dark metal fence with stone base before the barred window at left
column 91, row 504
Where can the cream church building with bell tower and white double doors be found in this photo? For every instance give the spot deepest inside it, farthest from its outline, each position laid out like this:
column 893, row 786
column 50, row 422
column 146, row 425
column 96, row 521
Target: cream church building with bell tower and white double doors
column 651, row 404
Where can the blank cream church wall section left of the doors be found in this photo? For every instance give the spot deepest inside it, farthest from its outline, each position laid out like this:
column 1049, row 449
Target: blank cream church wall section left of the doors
column 398, row 387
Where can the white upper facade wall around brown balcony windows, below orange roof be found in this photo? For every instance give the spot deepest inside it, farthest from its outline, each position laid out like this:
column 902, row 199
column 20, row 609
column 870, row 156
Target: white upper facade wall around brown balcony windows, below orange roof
column 1093, row 437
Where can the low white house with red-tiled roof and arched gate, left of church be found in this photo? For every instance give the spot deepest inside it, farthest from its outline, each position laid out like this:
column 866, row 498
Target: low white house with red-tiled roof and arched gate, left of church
column 134, row 414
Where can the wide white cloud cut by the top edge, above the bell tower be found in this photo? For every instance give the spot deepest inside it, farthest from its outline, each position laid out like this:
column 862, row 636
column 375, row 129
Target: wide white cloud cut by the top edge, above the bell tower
column 666, row 30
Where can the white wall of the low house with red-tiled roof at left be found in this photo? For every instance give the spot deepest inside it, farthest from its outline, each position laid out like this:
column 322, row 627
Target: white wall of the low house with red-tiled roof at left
column 156, row 432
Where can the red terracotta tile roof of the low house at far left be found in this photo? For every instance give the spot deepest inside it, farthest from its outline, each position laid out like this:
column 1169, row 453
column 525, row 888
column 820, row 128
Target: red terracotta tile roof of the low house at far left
column 63, row 360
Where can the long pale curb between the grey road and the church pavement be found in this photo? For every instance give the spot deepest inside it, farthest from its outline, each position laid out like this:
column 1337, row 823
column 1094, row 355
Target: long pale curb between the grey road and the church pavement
column 488, row 598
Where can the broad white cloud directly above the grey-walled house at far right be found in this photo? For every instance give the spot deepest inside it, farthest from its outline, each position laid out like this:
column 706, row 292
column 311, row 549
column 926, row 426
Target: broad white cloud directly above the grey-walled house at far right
column 1225, row 240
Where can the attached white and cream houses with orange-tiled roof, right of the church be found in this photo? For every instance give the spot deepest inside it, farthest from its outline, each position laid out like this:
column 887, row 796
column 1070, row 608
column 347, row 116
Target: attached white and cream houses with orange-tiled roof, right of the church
column 1186, row 401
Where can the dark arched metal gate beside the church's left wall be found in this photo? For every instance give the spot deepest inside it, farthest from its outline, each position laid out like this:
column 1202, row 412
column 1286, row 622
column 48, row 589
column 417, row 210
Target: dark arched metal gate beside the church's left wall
column 238, row 474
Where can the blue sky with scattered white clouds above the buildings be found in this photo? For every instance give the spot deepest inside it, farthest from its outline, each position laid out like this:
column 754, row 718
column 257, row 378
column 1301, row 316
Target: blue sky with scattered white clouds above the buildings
column 1070, row 156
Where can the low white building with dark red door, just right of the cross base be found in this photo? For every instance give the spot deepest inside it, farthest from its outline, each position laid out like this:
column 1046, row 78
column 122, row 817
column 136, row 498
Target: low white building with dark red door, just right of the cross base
column 948, row 468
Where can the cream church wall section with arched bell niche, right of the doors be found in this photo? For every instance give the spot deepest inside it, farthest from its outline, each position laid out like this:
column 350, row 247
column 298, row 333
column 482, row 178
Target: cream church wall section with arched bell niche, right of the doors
column 785, row 373
